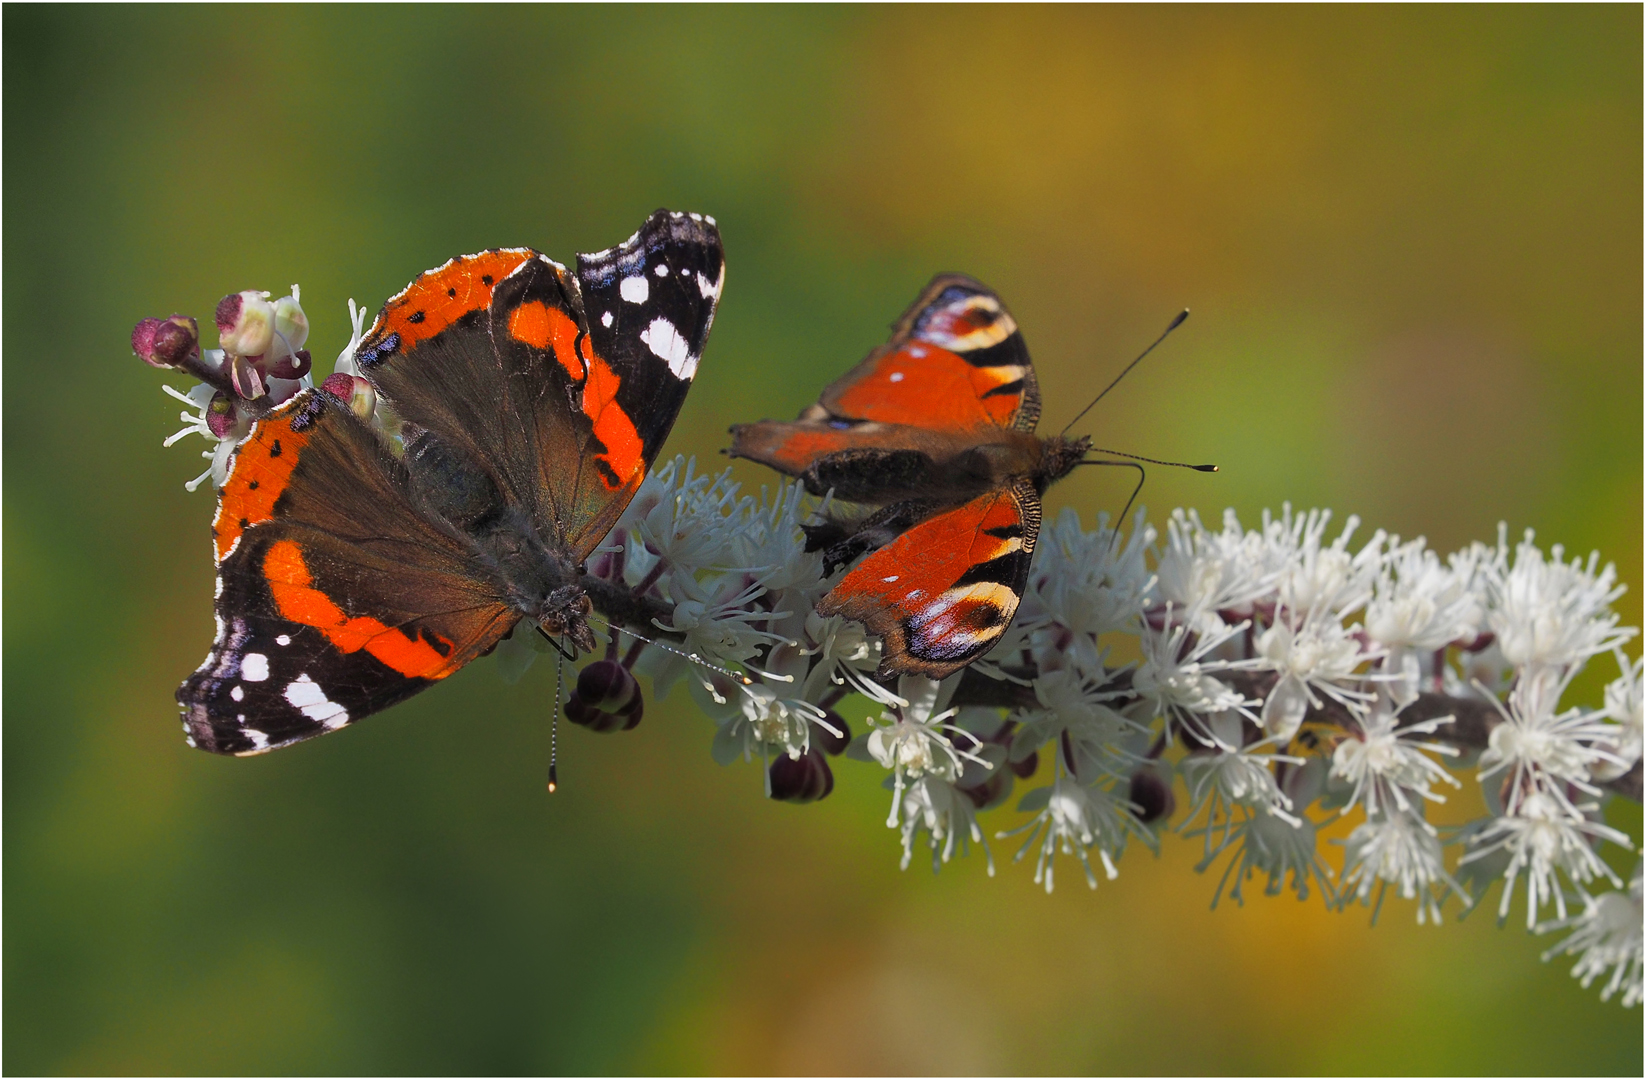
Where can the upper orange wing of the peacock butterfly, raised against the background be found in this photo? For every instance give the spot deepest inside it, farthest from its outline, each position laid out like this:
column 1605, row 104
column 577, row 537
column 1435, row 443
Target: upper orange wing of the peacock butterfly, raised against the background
column 956, row 371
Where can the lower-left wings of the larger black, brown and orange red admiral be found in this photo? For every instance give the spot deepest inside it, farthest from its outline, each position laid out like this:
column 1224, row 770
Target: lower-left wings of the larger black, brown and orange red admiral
column 335, row 597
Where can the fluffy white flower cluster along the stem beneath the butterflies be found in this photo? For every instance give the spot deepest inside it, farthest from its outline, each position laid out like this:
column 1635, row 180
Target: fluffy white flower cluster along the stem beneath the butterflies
column 1278, row 677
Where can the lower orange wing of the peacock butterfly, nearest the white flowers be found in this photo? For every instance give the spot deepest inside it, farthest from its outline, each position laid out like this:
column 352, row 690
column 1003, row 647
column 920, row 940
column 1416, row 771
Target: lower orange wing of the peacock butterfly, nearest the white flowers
column 944, row 592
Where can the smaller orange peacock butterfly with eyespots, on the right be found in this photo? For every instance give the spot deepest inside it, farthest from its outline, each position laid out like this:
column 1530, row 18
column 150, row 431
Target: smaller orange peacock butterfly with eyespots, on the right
column 936, row 431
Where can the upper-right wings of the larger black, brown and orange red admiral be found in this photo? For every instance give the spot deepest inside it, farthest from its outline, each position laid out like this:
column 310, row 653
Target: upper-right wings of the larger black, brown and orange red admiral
column 496, row 355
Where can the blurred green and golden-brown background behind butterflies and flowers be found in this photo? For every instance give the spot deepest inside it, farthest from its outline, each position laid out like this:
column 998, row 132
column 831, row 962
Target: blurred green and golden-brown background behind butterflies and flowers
column 1411, row 240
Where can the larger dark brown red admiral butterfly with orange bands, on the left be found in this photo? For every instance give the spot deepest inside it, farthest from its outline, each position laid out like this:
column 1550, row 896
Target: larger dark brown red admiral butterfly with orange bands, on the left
column 536, row 399
